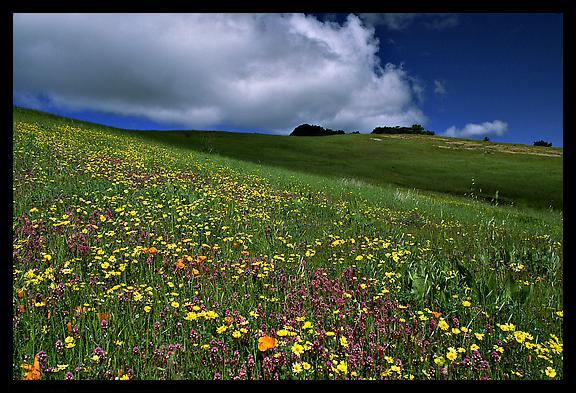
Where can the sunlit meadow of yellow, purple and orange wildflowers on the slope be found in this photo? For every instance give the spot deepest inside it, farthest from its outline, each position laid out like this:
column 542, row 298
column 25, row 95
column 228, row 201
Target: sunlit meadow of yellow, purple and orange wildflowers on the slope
column 134, row 260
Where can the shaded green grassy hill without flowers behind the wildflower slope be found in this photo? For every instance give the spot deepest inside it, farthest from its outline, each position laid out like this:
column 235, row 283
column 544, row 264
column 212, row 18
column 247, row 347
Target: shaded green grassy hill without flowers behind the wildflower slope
column 525, row 175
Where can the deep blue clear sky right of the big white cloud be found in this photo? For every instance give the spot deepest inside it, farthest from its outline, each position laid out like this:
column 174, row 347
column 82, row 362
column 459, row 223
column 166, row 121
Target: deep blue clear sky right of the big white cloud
column 494, row 66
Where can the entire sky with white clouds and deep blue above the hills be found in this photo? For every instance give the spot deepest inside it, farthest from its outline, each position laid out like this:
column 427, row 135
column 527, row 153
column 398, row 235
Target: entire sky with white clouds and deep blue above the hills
column 467, row 75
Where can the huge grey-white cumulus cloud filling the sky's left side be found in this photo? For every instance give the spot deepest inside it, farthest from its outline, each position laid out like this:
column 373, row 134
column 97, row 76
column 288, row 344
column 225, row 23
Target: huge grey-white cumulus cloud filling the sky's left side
column 251, row 71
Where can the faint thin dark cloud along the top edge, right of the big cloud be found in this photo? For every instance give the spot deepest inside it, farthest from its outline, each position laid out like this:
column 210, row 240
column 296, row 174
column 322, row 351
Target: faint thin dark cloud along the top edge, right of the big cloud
column 402, row 21
